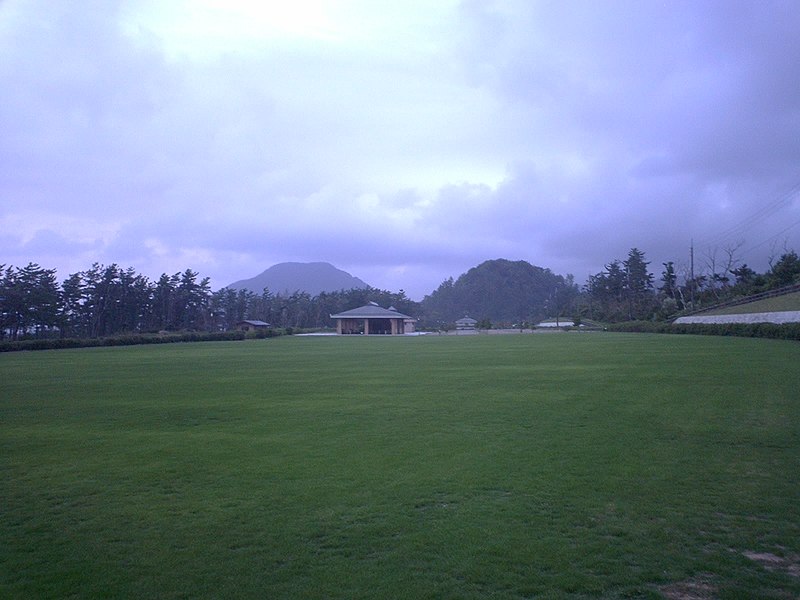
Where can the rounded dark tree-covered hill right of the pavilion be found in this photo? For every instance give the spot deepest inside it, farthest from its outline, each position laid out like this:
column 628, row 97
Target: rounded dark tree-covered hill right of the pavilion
column 501, row 291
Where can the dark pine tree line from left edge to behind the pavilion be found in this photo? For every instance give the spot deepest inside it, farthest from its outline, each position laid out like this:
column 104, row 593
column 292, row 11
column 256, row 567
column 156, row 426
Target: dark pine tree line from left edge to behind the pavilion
column 107, row 300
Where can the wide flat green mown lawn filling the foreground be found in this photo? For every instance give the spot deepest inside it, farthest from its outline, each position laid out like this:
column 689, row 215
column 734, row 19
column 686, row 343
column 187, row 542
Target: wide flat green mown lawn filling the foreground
column 519, row 466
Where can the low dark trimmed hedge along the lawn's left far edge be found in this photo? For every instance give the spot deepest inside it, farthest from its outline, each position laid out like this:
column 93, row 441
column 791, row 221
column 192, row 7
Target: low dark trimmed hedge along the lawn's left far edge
column 134, row 340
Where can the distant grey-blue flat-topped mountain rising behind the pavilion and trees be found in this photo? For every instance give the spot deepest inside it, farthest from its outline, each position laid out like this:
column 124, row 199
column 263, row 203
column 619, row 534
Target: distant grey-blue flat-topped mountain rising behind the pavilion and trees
column 289, row 277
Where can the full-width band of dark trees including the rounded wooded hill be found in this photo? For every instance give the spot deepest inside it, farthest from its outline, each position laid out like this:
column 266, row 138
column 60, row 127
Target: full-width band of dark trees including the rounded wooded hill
column 107, row 300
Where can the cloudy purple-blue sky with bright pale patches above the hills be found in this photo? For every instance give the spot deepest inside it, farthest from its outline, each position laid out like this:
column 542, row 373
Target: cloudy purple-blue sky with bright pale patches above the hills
column 404, row 142
